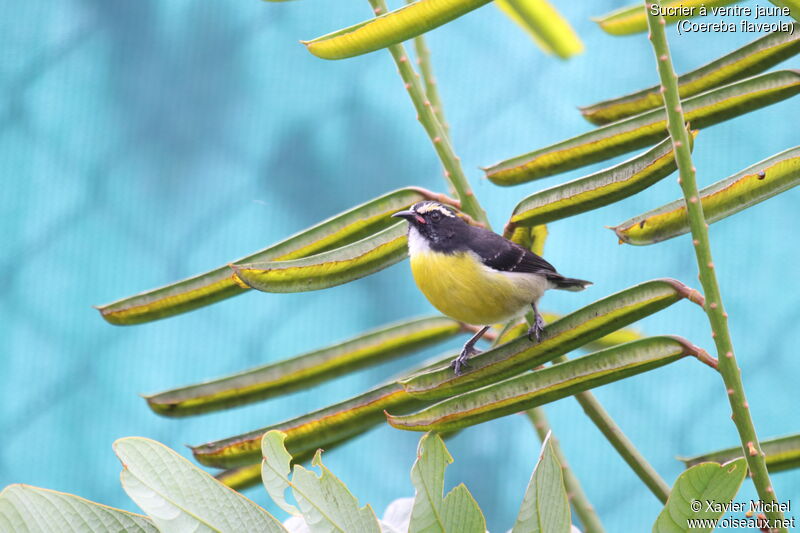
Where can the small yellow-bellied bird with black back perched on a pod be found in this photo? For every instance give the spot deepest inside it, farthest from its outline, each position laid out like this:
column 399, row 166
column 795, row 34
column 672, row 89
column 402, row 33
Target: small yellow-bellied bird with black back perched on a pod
column 474, row 275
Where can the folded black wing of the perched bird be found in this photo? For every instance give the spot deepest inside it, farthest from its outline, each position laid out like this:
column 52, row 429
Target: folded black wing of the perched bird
column 501, row 254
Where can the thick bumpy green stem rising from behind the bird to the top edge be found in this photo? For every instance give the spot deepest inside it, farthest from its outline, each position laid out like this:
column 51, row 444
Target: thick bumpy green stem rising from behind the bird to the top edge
column 453, row 172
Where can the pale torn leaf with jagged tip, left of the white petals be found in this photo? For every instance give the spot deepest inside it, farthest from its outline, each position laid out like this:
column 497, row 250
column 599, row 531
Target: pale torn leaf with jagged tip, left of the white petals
column 327, row 504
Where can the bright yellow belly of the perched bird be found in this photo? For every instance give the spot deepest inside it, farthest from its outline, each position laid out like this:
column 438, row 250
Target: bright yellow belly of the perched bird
column 459, row 286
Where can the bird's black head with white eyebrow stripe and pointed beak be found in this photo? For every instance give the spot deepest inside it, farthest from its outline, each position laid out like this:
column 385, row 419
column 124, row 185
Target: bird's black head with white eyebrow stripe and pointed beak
column 437, row 224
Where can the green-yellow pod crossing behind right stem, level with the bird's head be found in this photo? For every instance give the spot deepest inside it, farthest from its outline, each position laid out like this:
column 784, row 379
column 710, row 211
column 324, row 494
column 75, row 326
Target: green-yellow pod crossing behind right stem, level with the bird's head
column 749, row 187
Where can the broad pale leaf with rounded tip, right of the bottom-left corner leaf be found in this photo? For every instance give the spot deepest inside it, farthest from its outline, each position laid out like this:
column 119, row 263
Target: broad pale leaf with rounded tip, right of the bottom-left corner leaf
column 178, row 496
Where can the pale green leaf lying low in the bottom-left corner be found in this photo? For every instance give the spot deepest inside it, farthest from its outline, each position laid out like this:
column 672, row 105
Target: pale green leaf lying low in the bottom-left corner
column 26, row 509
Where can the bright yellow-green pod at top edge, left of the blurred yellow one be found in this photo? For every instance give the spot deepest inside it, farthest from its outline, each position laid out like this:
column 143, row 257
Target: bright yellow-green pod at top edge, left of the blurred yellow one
column 390, row 28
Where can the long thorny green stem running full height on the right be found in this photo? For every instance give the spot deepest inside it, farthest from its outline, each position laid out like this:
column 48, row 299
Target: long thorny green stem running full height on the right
column 718, row 318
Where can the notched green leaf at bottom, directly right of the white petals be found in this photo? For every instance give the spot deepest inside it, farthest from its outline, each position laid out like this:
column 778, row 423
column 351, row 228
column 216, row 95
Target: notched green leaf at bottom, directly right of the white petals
column 456, row 512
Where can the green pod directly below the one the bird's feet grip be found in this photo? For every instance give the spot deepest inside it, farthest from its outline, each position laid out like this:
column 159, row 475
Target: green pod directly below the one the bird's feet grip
column 546, row 385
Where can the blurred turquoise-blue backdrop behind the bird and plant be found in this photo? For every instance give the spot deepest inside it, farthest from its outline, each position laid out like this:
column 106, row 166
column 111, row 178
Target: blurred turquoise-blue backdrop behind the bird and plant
column 145, row 141
